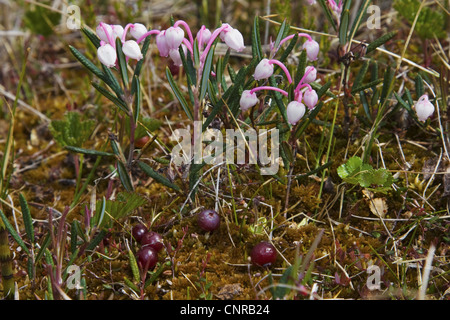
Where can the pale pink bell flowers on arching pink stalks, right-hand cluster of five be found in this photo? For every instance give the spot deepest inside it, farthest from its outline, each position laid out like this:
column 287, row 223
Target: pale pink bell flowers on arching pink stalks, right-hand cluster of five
column 295, row 109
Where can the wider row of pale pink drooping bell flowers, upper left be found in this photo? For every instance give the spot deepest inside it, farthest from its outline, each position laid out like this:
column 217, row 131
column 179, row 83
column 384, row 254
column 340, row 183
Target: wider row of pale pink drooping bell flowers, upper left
column 168, row 41
